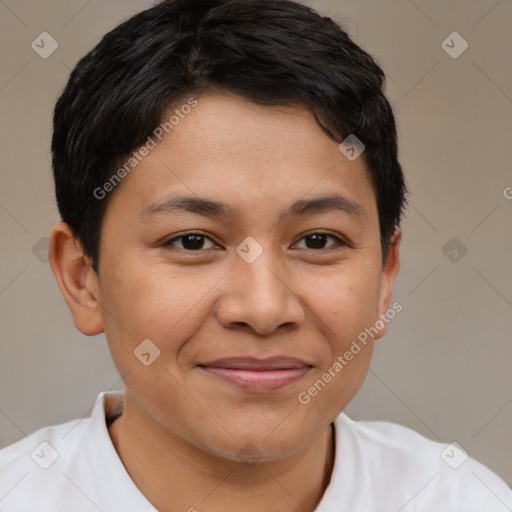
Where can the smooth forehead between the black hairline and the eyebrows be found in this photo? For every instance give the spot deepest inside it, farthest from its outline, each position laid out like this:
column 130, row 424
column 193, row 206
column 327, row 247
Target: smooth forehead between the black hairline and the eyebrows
column 247, row 156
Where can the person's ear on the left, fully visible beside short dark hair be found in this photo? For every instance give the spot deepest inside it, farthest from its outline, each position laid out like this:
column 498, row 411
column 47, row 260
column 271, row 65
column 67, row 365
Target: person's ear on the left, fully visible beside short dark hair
column 77, row 280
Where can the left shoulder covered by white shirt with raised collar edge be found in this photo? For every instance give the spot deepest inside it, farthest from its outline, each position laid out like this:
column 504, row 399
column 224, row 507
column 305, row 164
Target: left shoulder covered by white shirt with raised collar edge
column 68, row 465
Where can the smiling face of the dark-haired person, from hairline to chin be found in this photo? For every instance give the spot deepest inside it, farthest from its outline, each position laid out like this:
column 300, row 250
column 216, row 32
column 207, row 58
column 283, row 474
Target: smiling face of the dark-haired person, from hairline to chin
column 249, row 304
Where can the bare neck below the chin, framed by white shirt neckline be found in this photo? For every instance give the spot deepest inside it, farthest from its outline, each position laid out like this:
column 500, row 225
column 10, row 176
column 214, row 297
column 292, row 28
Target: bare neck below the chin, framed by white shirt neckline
column 168, row 470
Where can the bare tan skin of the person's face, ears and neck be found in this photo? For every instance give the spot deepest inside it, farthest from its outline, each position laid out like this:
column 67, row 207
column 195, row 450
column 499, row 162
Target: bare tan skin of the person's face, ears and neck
column 182, row 428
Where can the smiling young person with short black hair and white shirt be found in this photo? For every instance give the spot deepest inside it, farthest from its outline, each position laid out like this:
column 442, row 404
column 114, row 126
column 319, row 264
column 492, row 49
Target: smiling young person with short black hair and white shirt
column 227, row 176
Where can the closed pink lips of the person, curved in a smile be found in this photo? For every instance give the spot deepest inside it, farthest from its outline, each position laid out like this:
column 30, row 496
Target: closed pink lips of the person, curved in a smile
column 258, row 374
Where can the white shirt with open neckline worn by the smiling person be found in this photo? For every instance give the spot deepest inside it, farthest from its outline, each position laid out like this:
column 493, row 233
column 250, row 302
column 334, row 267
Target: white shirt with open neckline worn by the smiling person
column 378, row 467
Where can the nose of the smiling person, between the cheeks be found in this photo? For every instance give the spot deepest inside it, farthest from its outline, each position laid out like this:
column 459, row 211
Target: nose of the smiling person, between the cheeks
column 260, row 297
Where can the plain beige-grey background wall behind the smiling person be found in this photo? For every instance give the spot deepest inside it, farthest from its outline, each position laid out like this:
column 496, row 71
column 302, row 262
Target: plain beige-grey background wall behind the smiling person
column 444, row 367
